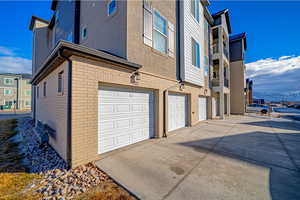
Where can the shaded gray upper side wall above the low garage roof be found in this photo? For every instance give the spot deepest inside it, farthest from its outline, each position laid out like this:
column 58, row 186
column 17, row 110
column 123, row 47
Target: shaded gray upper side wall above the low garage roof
column 107, row 33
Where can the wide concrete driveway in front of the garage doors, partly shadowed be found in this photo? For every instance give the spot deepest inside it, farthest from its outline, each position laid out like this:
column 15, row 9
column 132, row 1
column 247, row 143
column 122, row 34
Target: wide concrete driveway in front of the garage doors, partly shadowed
column 242, row 157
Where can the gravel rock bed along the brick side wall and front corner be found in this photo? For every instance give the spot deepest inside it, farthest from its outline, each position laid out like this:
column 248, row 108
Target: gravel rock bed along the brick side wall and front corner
column 57, row 182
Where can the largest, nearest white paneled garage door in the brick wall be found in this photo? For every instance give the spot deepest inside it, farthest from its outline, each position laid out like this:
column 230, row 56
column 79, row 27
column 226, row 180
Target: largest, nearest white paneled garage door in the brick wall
column 125, row 116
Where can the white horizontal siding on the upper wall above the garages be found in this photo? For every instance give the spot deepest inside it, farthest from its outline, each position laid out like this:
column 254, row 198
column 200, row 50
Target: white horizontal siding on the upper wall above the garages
column 192, row 29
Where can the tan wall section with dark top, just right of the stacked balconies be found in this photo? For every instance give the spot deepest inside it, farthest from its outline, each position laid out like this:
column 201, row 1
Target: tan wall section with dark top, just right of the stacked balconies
column 238, row 46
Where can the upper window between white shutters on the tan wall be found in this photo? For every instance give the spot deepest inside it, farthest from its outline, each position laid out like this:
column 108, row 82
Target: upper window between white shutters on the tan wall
column 160, row 37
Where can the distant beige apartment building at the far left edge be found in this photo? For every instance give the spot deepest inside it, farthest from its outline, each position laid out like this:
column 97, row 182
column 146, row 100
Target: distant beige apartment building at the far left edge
column 15, row 91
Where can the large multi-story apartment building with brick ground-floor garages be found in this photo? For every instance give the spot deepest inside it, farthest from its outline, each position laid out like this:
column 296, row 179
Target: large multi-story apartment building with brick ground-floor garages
column 125, row 76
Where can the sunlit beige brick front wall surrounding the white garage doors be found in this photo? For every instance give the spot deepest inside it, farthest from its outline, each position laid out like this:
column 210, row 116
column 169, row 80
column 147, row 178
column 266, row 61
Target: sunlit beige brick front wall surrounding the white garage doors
column 87, row 76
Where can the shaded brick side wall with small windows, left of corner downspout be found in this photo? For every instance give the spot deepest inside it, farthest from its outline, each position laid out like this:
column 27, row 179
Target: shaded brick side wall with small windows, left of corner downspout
column 52, row 109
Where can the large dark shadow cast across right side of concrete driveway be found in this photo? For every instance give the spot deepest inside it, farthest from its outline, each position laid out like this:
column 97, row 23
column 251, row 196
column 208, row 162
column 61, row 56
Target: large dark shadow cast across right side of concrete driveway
column 263, row 149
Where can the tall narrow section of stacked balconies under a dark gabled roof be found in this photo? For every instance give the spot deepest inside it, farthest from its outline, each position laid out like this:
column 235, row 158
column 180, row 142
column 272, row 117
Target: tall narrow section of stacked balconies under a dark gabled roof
column 220, row 61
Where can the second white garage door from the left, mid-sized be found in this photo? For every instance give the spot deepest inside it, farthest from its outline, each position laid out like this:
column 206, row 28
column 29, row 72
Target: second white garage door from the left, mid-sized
column 177, row 111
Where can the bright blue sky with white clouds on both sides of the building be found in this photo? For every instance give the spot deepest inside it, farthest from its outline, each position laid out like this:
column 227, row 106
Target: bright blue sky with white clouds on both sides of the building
column 272, row 29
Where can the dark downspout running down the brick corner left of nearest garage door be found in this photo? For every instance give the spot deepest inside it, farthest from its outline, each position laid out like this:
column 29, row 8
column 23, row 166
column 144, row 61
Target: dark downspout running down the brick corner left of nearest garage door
column 69, row 110
